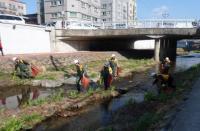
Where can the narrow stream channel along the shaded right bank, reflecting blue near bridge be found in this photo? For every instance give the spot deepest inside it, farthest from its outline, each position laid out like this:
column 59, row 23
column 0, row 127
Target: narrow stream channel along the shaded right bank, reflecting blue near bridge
column 100, row 114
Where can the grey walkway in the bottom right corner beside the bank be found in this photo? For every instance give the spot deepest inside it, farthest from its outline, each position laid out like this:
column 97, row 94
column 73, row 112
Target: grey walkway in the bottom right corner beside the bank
column 188, row 119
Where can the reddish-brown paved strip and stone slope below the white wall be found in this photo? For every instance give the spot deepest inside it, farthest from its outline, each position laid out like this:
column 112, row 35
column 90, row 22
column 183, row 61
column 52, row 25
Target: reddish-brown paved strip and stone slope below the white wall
column 59, row 59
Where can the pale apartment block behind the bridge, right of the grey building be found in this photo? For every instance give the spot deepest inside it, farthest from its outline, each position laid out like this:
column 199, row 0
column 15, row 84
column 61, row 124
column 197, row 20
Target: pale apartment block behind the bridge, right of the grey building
column 118, row 11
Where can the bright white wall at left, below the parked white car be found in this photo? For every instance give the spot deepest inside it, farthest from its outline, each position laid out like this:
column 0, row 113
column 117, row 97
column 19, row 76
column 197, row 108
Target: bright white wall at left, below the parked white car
column 22, row 39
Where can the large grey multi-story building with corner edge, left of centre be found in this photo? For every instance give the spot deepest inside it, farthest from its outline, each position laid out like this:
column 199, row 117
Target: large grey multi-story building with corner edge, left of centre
column 78, row 10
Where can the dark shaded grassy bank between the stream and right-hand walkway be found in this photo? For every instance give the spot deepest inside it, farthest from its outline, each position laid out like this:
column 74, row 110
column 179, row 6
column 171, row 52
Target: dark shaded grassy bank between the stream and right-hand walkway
column 152, row 114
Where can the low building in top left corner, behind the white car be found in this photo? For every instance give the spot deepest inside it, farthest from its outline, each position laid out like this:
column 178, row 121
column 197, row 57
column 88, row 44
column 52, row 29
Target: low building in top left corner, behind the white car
column 14, row 7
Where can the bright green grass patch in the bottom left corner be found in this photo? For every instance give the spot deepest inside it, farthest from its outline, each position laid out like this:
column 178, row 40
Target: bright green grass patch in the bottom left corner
column 19, row 123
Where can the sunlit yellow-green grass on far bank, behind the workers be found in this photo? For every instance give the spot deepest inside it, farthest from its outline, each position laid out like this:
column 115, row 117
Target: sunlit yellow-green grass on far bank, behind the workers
column 93, row 69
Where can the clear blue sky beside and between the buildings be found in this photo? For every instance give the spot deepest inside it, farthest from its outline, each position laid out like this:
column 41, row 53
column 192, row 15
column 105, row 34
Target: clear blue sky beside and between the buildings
column 149, row 9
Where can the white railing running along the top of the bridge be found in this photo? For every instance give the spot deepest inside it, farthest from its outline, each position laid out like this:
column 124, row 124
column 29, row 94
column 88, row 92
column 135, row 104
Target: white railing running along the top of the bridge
column 152, row 23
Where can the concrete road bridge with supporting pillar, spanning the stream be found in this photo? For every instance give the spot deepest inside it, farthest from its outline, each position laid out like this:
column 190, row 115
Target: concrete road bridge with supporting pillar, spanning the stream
column 165, row 38
